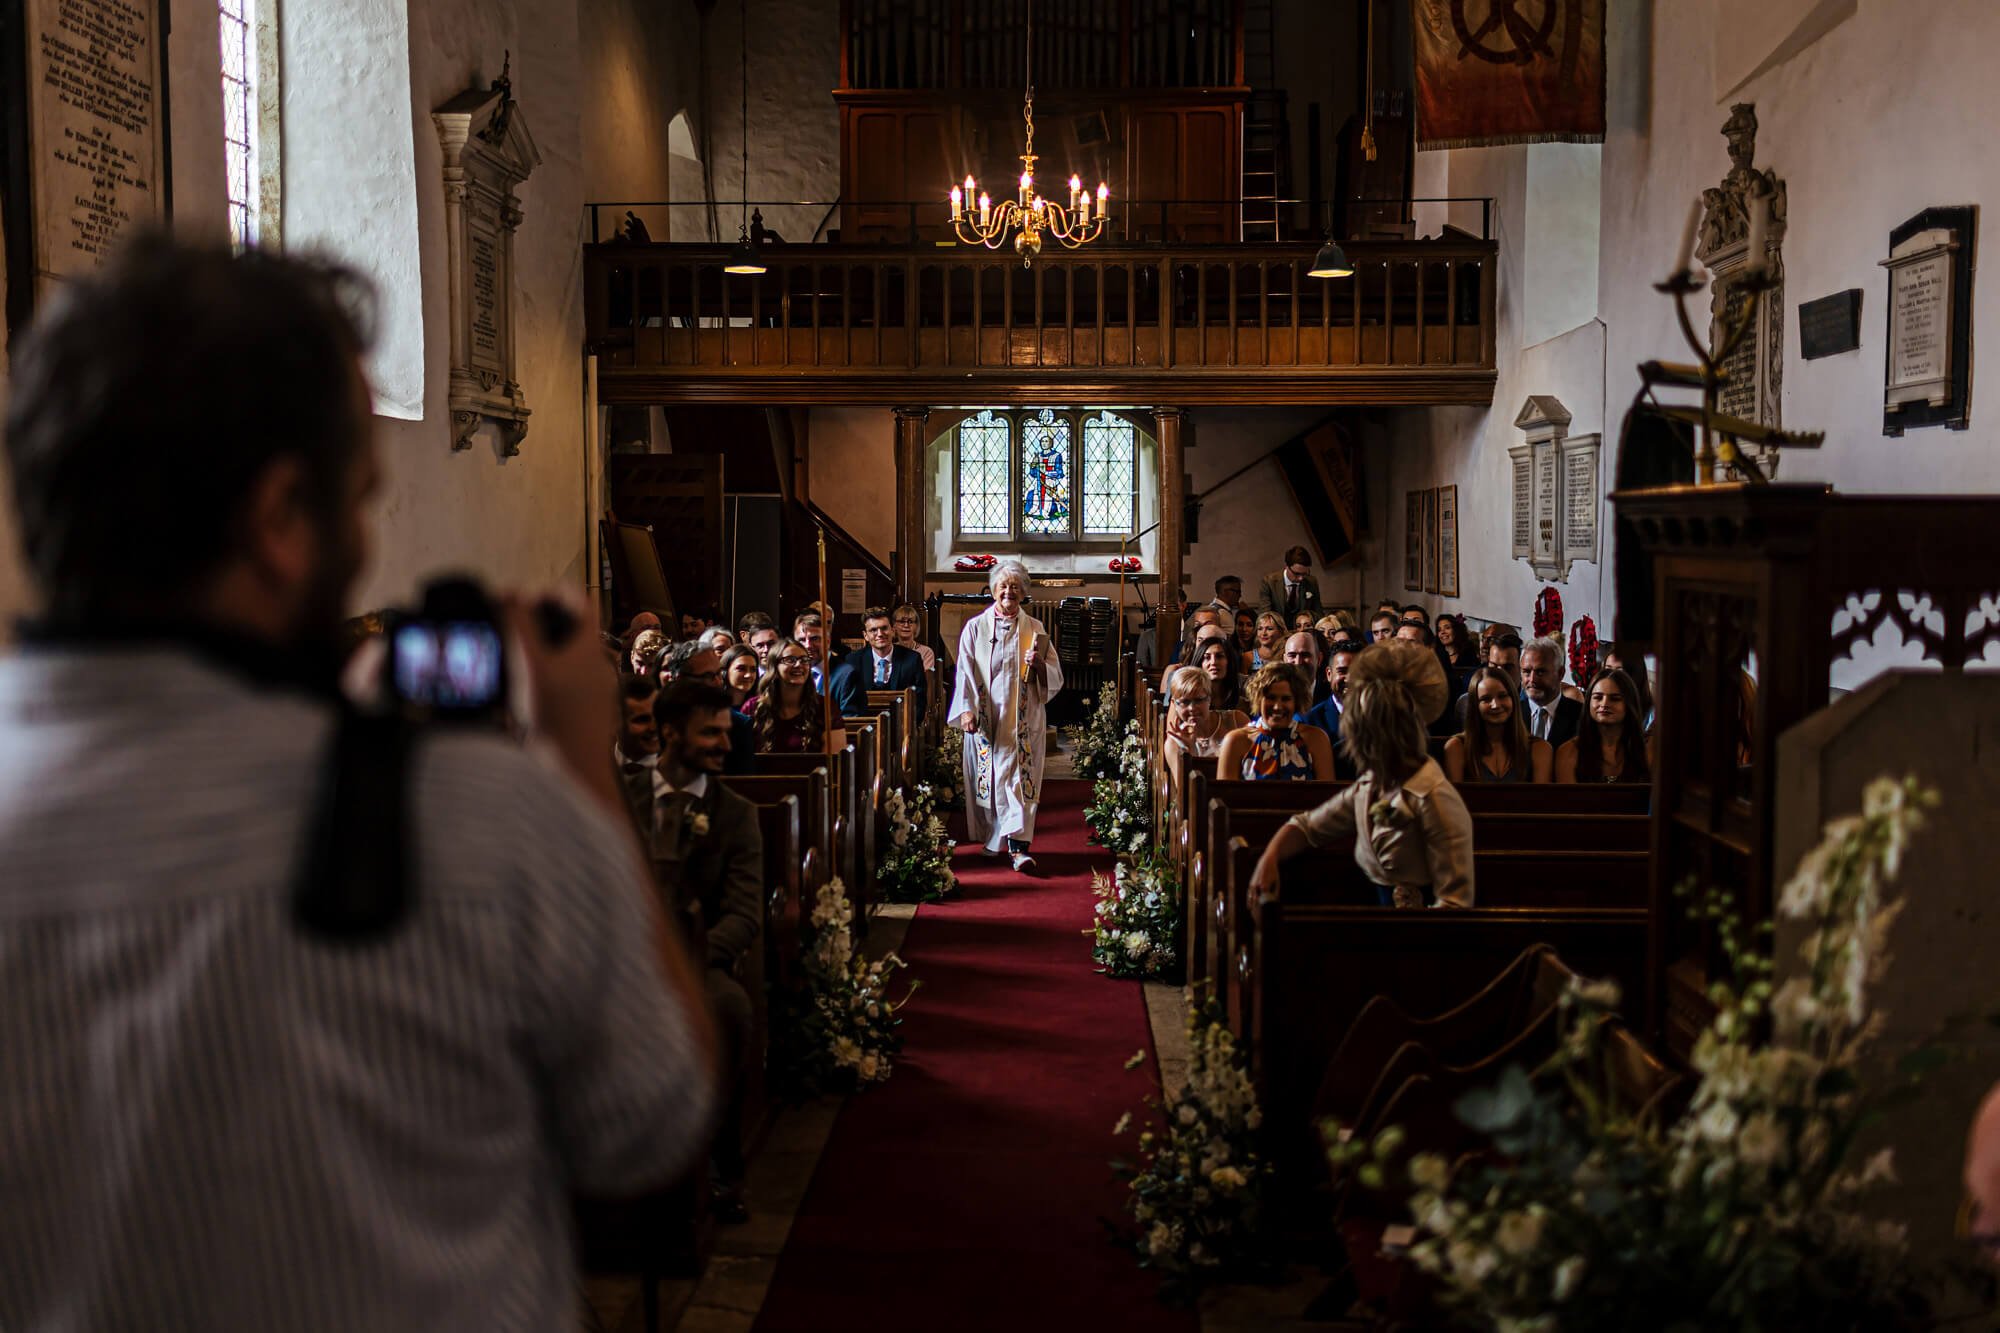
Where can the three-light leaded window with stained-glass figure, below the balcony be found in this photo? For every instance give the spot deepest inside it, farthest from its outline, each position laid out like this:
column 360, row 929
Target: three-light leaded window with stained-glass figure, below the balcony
column 1047, row 475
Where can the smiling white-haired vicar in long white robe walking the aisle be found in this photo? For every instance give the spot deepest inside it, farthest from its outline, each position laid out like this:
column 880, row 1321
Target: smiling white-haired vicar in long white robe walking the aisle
column 1007, row 676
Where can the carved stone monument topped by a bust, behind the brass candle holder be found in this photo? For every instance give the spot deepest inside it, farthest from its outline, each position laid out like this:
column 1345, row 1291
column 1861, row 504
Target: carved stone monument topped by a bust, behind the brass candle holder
column 1747, row 207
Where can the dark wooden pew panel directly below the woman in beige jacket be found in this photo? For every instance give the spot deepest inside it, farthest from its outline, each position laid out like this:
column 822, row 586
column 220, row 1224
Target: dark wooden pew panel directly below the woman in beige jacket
column 1307, row 972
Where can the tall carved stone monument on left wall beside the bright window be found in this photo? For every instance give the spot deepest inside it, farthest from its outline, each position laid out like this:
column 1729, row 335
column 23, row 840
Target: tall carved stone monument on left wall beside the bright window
column 487, row 153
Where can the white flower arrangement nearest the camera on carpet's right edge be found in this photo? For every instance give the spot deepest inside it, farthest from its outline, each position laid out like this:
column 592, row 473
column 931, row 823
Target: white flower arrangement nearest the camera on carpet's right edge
column 1199, row 1188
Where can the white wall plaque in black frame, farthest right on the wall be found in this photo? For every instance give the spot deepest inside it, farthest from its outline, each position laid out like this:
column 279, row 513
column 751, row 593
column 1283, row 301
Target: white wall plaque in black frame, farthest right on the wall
column 1927, row 379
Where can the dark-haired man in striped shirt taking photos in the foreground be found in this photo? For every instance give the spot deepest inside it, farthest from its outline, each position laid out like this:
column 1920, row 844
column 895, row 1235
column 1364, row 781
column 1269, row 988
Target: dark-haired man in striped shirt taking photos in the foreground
column 219, row 1114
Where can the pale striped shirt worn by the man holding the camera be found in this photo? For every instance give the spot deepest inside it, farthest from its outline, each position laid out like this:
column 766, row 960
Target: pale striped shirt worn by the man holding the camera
column 211, row 1122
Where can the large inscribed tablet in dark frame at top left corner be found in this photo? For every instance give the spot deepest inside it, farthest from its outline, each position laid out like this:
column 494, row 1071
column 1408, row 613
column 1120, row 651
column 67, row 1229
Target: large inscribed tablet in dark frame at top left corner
column 87, row 147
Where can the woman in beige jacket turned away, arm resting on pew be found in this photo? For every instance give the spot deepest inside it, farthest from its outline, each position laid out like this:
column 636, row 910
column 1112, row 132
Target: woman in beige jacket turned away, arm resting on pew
column 1411, row 830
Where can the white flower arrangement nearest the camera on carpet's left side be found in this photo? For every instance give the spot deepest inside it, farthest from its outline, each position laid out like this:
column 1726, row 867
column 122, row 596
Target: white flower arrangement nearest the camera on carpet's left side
column 843, row 1028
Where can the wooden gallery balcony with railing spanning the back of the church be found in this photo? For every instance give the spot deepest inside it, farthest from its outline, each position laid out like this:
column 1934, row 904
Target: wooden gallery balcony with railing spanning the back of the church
column 1155, row 321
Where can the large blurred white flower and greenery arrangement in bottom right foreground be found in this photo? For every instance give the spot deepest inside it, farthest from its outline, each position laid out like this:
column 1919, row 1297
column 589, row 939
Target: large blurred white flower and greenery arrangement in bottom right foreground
column 1741, row 1214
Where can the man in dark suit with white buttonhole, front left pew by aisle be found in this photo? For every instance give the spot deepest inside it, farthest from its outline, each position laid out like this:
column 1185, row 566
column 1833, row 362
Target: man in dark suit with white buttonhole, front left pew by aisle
column 709, row 862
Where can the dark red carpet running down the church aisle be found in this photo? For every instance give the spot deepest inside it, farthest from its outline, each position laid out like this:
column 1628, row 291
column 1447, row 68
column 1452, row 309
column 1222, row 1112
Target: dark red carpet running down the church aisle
column 969, row 1190
